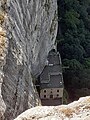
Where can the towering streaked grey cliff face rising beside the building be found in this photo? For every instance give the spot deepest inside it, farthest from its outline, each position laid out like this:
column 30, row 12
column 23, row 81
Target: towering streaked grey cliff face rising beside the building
column 27, row 33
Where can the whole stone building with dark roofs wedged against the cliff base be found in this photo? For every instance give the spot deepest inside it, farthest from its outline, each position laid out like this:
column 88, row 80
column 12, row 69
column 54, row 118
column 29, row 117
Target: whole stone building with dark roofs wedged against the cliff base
column 51, row 81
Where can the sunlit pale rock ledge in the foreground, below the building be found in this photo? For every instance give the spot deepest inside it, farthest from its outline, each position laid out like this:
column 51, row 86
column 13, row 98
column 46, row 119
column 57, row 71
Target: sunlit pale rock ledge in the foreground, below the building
column 78, row 110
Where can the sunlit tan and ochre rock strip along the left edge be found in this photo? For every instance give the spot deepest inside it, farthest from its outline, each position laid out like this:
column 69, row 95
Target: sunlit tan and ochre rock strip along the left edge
column 3, row 52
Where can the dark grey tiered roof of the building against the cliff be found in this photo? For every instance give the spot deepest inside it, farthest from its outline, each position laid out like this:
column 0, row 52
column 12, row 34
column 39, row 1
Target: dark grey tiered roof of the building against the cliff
column 51, row 77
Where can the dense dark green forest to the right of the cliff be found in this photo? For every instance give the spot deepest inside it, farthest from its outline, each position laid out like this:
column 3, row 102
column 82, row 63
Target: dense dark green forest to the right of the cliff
column 74, row 39
